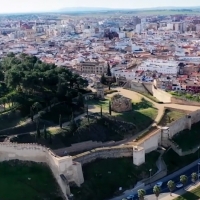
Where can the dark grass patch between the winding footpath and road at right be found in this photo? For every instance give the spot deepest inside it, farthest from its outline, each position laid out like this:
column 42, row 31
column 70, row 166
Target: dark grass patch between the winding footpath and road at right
column 175, row 162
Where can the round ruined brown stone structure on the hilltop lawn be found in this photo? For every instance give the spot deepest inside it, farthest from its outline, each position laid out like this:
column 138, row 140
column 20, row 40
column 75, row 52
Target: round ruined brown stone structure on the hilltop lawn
column 120, row 103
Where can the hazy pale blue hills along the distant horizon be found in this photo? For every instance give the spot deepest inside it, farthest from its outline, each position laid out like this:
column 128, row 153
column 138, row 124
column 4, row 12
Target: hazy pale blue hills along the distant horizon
column 91, row 9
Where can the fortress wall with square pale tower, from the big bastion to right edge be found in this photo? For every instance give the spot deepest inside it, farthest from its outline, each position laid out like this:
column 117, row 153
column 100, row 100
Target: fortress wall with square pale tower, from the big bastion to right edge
column 138, row 149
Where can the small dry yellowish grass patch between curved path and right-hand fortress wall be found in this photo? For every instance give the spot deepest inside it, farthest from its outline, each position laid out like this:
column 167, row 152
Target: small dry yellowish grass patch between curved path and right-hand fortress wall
column 170, row 116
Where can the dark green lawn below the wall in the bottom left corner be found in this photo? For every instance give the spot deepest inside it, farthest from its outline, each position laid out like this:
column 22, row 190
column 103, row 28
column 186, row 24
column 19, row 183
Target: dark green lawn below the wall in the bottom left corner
column 15, row 183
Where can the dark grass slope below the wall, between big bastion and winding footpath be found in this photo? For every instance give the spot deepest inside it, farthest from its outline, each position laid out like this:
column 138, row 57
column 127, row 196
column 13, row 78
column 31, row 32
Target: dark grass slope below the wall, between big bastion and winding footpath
column 103, row 178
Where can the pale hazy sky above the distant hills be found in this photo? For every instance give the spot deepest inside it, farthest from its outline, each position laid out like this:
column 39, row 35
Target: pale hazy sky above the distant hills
column 8, row 6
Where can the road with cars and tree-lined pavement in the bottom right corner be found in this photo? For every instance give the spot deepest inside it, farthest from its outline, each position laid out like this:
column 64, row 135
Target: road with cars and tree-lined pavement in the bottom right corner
column 164, row 189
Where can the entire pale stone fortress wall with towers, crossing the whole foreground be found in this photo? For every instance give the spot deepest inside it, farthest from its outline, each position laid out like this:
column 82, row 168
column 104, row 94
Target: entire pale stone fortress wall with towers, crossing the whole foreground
column 71, row 167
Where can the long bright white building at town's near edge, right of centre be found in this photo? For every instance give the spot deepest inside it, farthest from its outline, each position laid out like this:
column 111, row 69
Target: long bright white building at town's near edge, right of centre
column 160, row 66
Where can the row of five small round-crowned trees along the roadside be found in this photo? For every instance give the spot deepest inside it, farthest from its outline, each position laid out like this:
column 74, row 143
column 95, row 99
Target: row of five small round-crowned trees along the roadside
column 170, row 184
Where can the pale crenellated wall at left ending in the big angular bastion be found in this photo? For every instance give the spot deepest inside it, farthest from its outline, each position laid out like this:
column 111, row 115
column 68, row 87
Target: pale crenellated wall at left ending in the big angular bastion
column 71, row 170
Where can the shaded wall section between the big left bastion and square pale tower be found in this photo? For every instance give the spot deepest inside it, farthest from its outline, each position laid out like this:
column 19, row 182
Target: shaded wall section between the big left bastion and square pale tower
column 107, row 152
